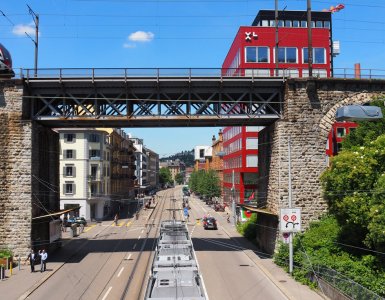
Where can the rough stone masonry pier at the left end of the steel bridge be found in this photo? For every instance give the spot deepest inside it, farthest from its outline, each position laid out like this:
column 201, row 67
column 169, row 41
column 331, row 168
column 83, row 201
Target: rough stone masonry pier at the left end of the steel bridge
column 15, row 170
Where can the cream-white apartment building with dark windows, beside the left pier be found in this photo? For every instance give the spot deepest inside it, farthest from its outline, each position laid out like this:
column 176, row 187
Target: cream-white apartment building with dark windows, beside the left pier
column 85, row 172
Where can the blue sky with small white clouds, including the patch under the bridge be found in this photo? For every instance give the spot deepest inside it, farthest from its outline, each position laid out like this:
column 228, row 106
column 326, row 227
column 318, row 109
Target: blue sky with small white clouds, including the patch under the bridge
column 169, row 34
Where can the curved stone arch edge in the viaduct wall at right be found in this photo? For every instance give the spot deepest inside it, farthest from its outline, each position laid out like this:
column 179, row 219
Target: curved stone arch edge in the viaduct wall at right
column 329, row 118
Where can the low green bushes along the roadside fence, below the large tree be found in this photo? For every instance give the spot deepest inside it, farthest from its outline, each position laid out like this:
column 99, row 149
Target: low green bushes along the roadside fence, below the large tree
column 319, row 249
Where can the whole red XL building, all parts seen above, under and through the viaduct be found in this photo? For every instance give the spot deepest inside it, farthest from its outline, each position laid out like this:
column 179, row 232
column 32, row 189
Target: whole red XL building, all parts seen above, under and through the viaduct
column 253, row 53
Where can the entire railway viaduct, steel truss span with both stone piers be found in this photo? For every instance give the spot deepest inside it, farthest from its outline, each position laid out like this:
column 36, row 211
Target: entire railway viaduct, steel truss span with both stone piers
column 303, row 109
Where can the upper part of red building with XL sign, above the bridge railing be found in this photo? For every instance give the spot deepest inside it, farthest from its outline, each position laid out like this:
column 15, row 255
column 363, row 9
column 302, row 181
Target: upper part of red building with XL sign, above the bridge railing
column 253, row 49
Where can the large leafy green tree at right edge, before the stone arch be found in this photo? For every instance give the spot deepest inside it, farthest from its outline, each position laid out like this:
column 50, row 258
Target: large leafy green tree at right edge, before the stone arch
column 354, row 187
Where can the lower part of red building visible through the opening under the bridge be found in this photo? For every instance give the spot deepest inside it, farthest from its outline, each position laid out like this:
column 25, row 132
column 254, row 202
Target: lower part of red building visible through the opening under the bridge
column 240, row 163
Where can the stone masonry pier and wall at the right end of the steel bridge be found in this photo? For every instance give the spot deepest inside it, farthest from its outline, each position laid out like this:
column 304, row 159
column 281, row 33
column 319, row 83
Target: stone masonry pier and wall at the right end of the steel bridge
column 309, row 112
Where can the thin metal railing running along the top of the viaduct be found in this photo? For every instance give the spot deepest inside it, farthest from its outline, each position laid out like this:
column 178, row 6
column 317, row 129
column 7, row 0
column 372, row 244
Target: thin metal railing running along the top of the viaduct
column 65, row 73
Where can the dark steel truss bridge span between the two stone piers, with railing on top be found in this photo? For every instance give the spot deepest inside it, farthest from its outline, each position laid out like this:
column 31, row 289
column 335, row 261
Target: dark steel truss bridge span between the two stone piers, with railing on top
column 150, row 98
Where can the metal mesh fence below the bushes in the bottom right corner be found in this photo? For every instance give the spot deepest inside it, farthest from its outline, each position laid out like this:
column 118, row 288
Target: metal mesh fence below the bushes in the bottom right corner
column 345, row 285
